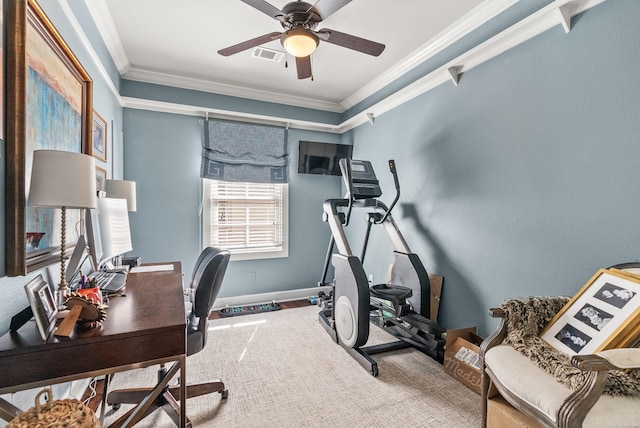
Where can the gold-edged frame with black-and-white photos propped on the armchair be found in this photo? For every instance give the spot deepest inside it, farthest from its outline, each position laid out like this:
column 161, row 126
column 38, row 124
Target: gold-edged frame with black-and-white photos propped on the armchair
column 598, row 317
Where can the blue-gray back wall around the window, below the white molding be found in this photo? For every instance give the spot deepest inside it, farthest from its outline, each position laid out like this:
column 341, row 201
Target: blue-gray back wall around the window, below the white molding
column 162, row 154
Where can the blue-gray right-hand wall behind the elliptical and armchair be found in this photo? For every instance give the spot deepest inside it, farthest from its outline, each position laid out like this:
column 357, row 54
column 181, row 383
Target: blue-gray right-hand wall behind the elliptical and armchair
column 521, row 180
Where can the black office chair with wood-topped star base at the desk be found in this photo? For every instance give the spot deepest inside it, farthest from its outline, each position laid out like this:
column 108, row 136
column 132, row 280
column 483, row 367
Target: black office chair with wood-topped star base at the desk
column 205, row 285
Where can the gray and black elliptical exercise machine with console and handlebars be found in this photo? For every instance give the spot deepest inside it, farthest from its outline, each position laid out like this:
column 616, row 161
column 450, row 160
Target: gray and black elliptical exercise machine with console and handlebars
column 401, row 307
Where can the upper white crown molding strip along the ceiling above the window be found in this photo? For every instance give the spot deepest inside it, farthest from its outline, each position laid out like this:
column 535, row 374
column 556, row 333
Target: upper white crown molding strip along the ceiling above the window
column 148, row 76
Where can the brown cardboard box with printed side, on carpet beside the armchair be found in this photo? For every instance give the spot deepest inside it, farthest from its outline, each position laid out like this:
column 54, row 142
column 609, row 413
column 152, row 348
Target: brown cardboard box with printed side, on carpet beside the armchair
column 462, row 358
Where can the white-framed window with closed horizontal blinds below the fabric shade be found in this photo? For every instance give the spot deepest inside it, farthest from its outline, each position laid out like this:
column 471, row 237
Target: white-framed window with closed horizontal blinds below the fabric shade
column 249, row 219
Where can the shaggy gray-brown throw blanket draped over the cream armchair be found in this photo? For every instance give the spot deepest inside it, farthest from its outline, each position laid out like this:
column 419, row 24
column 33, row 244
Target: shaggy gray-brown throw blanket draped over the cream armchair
column 527, row 317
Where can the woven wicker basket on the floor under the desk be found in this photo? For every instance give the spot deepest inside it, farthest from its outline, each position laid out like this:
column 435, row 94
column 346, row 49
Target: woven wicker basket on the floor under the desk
column 56, row 413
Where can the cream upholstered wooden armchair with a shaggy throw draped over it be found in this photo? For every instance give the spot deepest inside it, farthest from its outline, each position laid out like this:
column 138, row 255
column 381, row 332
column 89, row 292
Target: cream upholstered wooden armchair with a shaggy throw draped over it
column 599, row 390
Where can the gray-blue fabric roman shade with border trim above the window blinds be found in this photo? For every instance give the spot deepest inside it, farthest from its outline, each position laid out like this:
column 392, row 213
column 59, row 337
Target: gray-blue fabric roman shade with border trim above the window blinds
column 242, row 152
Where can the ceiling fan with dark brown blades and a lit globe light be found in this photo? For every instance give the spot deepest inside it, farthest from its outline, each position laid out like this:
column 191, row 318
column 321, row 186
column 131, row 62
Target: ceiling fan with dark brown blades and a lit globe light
column 299, row 20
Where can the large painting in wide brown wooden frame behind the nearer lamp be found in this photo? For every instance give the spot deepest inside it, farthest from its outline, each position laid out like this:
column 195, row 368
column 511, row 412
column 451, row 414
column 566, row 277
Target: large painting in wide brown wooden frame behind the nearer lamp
column 49, row 106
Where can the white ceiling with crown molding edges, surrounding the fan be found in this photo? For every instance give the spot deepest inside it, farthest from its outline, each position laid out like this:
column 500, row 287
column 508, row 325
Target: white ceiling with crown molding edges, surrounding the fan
column 176, row 42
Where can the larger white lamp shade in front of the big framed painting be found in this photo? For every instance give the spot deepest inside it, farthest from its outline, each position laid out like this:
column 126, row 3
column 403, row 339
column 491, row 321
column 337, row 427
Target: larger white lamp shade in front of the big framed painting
column 62, row 179
